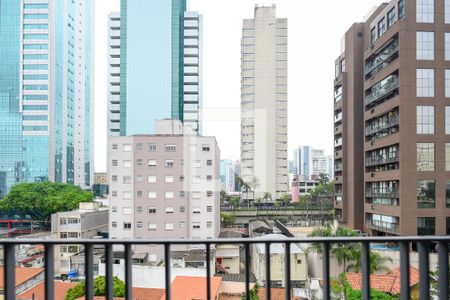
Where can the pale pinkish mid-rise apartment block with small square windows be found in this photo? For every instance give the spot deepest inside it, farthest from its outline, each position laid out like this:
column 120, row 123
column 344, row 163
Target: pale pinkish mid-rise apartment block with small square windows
column 164, row 185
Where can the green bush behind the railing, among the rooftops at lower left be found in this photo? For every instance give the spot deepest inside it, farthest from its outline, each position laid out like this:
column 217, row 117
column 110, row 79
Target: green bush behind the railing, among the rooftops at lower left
column 99, row 288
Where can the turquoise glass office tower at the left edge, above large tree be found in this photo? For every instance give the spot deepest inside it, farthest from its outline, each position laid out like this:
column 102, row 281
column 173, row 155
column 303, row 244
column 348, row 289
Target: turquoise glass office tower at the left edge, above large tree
column 46, row 70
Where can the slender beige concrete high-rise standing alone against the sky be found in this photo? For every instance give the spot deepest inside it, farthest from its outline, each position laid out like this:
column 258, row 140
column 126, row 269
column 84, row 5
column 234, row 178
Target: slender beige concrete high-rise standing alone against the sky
column 264, row 102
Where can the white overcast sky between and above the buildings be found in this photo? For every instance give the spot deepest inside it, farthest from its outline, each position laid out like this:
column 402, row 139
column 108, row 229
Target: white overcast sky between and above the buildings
column 315, row 29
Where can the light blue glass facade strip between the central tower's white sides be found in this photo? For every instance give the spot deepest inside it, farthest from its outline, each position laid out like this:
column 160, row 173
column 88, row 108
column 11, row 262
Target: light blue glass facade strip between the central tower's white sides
column 151, row 83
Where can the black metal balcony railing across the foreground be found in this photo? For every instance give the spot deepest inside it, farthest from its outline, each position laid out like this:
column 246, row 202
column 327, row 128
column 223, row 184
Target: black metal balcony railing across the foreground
column 405, row 242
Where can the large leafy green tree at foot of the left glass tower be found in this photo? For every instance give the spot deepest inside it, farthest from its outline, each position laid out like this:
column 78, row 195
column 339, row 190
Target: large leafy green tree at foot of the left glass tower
column 42, row 199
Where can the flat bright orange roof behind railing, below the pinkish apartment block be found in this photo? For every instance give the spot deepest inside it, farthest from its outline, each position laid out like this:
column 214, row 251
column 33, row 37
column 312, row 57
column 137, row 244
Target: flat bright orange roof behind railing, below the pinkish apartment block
column 190, row 287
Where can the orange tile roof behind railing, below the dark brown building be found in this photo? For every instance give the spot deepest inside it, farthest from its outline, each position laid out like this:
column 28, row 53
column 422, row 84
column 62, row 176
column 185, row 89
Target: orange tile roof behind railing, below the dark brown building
column 388, row 283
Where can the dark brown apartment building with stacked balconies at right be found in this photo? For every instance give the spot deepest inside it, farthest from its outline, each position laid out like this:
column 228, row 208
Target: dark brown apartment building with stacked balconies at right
column 392, row 121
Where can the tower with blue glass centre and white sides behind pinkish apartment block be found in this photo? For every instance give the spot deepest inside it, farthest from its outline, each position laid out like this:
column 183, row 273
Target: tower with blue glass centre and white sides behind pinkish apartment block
column 154, row 66
